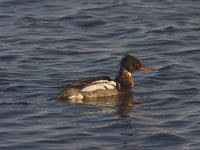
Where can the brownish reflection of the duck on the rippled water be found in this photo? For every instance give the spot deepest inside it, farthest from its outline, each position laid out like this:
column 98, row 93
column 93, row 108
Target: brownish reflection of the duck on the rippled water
column 122, row 105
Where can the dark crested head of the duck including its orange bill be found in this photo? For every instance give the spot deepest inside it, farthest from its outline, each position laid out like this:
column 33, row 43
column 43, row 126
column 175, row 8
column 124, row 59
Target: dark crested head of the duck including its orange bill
column 131, row 63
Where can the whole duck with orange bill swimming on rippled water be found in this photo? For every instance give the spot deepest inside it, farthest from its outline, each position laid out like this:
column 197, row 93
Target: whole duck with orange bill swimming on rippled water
column 104, row 86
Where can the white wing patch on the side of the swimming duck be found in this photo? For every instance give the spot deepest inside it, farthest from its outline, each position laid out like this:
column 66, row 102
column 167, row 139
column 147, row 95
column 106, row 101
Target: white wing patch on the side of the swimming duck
column 100, row 85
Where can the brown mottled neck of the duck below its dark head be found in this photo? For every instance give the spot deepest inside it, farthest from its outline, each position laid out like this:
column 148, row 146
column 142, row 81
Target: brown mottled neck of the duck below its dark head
column 125, row 79
